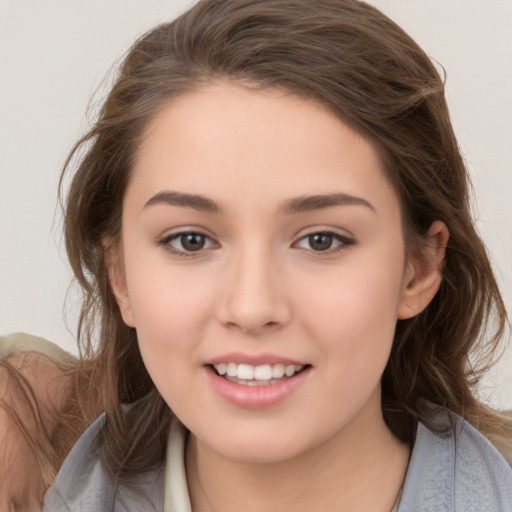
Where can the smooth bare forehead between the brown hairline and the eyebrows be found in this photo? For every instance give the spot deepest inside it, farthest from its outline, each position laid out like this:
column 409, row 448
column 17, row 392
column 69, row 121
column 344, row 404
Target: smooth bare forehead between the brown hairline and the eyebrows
column 231, row 142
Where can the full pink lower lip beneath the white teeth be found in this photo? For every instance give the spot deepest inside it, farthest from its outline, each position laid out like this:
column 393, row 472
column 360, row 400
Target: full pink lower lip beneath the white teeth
column 255, row 397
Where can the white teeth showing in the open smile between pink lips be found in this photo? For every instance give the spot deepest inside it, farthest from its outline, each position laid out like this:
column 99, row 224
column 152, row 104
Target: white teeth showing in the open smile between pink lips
column 261, row 375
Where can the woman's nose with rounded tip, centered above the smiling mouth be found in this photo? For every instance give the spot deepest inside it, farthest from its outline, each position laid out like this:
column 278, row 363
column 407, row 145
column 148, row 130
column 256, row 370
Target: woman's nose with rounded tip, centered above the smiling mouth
column 253, row 297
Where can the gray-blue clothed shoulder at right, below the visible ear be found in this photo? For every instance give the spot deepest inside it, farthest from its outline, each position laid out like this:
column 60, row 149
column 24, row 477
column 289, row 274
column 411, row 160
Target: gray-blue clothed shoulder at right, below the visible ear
column 455, row 472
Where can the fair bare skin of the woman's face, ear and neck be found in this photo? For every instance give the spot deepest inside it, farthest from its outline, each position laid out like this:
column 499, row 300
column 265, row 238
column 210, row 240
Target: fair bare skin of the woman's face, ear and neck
column 259, row 288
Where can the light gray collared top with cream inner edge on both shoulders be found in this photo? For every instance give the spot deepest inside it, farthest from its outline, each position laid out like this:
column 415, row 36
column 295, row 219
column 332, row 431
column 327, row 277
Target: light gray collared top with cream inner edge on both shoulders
column 461, row 472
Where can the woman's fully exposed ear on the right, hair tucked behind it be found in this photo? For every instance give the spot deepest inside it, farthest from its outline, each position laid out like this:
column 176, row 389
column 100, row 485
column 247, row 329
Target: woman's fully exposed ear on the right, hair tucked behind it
column 422, row 277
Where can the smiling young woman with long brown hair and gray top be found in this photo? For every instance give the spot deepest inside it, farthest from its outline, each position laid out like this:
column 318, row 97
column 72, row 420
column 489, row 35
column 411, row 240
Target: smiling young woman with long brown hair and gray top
column 282, row 281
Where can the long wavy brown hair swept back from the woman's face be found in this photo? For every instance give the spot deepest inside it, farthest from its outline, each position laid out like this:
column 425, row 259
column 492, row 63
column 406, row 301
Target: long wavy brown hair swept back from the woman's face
column 353, row 59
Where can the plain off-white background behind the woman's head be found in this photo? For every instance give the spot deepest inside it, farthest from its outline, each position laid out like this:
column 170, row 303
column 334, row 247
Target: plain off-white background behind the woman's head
column 54, row 55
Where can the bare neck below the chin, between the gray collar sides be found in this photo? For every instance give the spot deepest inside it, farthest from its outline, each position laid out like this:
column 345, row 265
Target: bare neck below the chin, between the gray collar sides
column 360, row 469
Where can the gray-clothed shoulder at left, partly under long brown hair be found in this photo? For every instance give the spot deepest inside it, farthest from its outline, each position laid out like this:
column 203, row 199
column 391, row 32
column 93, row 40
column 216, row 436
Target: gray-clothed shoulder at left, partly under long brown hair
column 84, row 484
